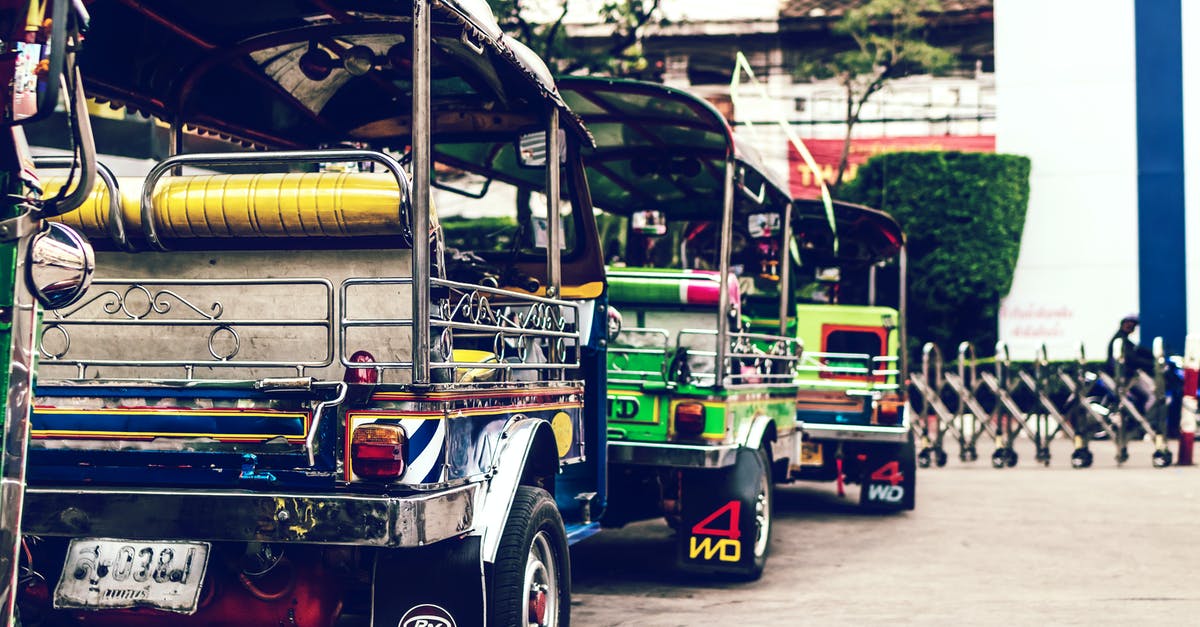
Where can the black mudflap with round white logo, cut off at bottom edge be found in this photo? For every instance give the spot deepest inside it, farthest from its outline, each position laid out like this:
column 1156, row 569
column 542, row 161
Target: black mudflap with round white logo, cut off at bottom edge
column 441, row 584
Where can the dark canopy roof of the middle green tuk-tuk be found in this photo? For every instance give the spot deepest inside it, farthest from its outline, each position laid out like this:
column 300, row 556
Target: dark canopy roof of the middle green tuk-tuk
column 662, row 148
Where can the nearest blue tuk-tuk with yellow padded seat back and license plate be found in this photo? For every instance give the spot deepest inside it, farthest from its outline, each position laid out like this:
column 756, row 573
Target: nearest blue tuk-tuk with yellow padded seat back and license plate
column 297, row 392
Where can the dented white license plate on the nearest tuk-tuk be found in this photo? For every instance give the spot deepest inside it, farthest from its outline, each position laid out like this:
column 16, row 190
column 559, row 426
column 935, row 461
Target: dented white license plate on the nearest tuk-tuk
column 106, row 574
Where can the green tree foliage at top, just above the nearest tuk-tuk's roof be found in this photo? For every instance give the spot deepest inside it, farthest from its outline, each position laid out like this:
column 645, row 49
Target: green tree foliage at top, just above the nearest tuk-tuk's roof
column 620, row 56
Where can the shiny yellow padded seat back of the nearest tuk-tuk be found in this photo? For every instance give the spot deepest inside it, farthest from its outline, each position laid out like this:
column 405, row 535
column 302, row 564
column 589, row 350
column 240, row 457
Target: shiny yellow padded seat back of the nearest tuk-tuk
column 327, row 205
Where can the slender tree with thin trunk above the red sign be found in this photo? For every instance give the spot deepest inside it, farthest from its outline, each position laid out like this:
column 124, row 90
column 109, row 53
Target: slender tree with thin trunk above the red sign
column 890, row 44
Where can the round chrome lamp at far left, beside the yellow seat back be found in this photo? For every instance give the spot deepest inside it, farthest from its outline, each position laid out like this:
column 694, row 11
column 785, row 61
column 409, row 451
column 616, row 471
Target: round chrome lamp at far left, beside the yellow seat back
column 61, row 266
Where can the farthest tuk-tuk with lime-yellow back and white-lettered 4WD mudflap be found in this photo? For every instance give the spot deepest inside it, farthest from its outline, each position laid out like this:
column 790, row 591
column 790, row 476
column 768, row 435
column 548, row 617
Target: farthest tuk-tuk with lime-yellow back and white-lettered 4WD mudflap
column 853, row 398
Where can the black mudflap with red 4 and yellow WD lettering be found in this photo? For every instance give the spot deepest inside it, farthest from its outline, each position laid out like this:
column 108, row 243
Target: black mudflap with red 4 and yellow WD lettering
column 717, row 534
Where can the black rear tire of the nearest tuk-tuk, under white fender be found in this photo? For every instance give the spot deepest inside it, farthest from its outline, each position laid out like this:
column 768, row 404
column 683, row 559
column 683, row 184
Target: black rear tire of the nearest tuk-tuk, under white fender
column 532, row 556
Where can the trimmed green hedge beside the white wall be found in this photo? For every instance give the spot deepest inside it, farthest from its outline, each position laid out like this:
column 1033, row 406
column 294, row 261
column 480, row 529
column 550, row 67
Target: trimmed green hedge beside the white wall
column 963, row 214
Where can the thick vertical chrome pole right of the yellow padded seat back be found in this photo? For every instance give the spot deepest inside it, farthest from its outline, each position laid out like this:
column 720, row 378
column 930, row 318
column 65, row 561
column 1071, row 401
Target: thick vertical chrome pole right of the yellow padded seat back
column 422, row 165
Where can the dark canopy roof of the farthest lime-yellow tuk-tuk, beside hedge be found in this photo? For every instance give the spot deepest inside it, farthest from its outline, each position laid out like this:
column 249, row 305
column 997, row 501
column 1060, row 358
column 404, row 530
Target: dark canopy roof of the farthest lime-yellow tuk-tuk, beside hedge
column 866, row 236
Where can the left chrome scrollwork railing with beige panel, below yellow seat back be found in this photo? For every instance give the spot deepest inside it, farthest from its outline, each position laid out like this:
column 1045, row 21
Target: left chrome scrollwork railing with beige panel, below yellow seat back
column 230, row 324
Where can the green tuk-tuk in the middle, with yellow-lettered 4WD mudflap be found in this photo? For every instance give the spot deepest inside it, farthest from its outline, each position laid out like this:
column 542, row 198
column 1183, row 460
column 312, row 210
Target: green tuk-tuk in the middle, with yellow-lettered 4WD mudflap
column 701, row 405
